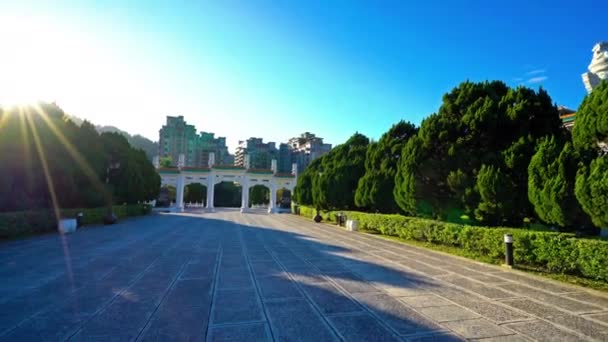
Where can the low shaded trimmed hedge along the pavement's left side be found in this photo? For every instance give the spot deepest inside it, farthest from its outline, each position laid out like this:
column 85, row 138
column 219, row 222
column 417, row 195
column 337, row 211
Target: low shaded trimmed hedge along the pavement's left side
column 21, row 223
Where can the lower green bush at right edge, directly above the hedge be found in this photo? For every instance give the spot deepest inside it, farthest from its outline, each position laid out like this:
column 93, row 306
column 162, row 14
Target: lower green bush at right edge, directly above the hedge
column 592, row 190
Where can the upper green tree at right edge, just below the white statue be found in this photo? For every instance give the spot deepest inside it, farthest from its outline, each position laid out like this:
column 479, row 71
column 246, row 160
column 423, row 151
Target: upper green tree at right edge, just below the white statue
column 591, row 124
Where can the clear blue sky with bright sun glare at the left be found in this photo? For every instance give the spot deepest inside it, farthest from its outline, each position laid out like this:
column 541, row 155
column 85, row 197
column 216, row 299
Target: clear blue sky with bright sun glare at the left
column 275, row 69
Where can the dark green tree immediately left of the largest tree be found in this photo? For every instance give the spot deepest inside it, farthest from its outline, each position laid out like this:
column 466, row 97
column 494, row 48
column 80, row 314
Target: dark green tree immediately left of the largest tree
column 375, row 188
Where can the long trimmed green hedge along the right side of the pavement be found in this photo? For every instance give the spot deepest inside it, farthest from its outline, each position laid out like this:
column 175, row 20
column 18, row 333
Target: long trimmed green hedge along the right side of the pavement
column 554, row 252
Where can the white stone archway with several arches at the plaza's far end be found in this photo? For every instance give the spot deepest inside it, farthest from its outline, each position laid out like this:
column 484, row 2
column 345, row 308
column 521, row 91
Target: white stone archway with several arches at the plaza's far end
column 182, row 176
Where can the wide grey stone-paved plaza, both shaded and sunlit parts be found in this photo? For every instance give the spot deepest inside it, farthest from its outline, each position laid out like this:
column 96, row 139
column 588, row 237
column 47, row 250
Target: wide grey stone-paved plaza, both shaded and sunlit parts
column 226, row 276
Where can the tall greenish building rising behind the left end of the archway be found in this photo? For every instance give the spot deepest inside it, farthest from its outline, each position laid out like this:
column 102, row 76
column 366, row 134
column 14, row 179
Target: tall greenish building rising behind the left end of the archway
column 178, row 137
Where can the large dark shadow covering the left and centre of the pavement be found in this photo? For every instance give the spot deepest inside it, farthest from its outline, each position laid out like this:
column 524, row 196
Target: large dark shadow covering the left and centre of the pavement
column 189, row 277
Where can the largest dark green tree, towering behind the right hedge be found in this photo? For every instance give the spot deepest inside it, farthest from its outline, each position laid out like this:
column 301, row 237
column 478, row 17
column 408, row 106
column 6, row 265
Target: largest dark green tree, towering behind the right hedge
column 478, row 124
